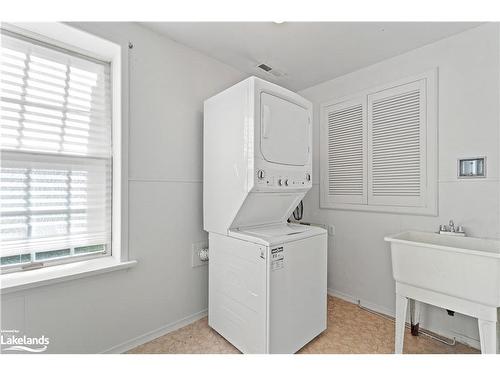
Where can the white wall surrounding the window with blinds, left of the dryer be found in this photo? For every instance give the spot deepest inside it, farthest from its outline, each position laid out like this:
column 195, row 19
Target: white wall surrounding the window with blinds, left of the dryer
column 168, row 85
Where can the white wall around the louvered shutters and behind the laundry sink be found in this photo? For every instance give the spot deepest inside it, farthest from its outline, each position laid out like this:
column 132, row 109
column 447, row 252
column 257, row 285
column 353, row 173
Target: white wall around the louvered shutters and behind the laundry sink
column 359, row 265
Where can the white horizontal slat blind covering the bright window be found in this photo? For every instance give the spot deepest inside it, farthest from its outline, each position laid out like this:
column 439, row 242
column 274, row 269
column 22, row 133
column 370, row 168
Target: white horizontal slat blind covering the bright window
column 56, row 153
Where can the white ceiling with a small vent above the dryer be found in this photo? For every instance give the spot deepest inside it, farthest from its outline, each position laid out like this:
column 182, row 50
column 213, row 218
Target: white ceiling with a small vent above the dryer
column 305, row 53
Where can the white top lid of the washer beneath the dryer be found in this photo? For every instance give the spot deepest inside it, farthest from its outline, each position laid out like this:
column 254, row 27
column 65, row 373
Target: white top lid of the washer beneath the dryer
column 276, row 233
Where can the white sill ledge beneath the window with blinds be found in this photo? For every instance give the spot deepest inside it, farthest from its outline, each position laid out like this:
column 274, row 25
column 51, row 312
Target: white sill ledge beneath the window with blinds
column 18, row 281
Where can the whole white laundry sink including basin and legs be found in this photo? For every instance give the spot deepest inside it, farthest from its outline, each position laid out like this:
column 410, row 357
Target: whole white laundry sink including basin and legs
column 457, row 273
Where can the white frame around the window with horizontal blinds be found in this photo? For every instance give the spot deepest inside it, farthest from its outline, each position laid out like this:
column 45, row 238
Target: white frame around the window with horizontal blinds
column 76, row 41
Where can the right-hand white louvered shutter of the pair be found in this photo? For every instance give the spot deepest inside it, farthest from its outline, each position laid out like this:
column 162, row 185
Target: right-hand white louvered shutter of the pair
column 397, row 146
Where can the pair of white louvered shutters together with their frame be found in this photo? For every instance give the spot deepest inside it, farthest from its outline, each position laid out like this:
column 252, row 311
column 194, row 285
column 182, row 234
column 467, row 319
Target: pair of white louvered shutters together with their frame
column 380, row 149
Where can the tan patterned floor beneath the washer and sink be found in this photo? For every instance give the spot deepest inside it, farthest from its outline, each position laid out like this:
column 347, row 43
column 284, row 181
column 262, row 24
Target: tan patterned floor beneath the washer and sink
column 350, row 330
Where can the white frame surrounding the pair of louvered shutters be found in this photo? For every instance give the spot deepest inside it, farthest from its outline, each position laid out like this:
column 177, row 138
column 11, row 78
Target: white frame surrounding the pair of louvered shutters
column 430, row 194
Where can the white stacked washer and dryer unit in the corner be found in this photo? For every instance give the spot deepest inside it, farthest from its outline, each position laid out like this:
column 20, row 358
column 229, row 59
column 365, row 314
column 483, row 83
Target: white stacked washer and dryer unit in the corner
column 267, row 277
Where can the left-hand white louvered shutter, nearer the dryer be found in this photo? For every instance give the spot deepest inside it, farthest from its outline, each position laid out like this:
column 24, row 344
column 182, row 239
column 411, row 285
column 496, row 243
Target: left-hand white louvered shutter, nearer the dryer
column 345, row 128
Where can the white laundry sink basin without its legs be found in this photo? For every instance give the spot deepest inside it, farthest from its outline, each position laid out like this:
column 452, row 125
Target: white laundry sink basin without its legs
column 464, row 267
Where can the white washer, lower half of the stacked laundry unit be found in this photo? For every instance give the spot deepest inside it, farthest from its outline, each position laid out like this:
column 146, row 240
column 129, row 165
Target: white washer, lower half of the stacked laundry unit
column 268, row 287
